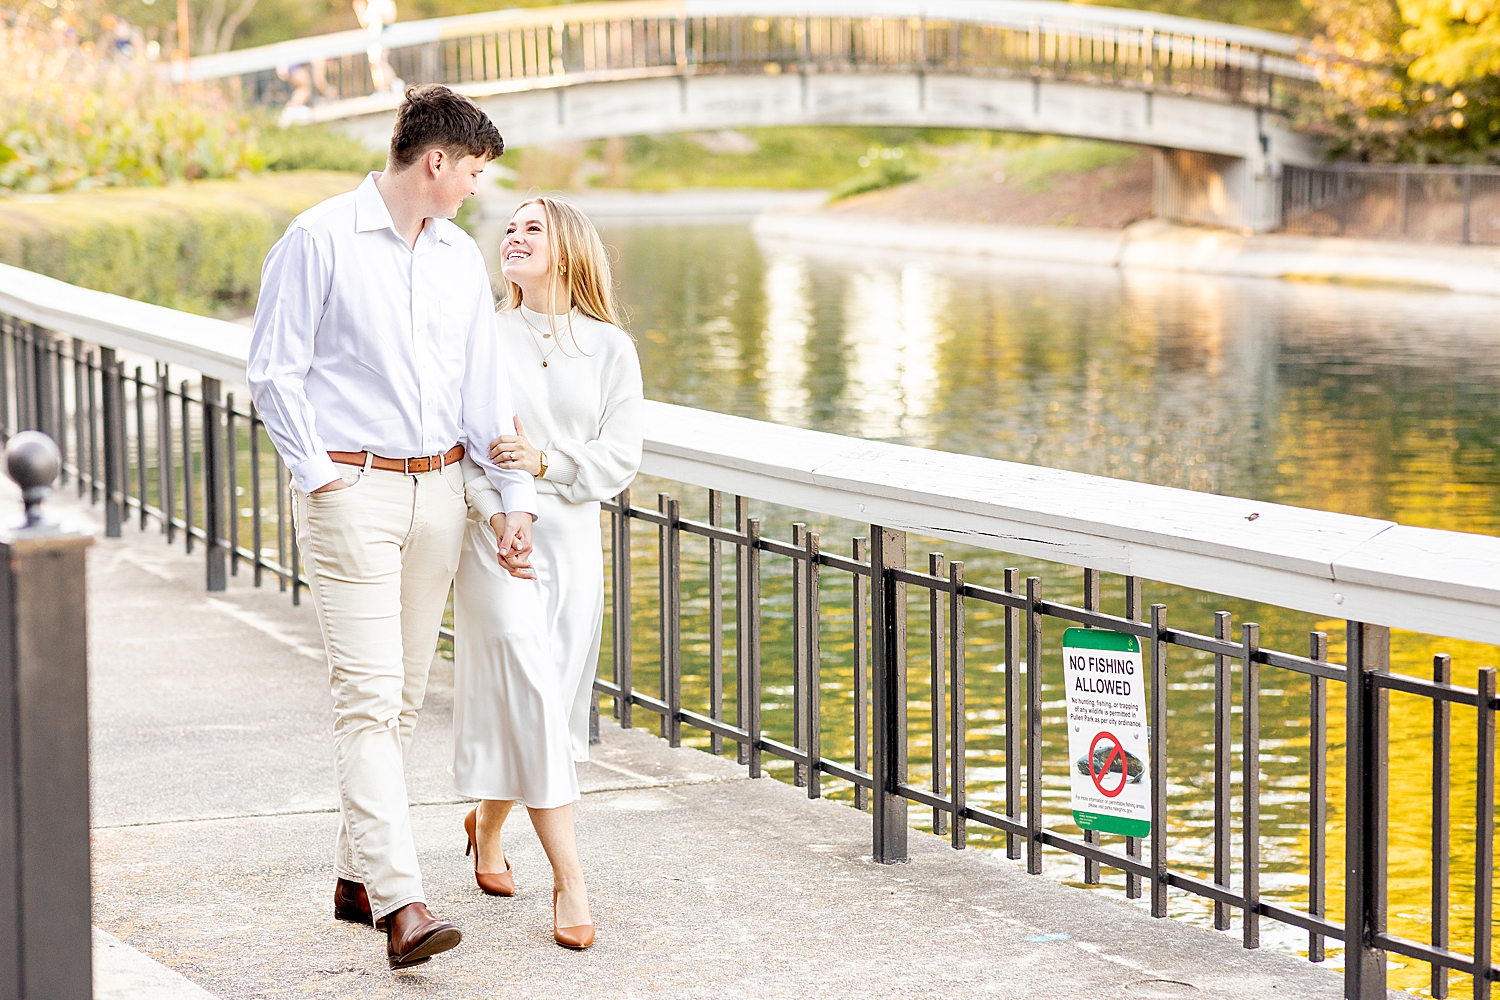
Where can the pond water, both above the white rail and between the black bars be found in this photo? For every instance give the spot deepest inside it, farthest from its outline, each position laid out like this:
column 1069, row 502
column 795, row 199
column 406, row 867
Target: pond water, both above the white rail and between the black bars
column 1373, row 403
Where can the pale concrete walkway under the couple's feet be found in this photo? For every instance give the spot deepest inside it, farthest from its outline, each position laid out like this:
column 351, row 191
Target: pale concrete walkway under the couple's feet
column 214, row 812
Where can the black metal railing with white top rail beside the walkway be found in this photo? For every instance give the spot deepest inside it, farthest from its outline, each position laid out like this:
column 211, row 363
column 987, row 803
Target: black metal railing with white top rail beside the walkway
column 850, row 672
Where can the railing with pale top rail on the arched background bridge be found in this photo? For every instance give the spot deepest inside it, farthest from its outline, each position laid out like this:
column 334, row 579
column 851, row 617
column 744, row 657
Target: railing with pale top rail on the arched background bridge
column 511, row 50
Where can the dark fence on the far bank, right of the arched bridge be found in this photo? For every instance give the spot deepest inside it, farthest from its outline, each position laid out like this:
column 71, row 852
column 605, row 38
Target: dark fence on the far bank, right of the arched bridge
column 1400, row 202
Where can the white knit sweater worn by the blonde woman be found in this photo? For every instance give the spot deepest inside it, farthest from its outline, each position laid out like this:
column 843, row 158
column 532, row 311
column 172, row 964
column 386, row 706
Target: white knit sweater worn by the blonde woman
column 583, row 409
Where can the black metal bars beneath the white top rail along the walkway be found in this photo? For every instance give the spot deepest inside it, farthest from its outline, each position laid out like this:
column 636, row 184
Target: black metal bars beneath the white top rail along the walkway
column 187, row 461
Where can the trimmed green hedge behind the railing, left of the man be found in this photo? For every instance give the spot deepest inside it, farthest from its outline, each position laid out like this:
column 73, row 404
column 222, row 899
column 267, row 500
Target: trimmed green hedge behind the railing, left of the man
column 188, row 247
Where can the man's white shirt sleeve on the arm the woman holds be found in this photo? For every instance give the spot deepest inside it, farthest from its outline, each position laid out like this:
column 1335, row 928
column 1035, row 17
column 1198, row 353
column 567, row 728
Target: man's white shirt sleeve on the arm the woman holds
column 488, row 409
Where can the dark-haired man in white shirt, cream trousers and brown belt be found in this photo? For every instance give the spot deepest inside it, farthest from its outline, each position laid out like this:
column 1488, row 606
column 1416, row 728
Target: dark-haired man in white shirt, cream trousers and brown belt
column 374, row 367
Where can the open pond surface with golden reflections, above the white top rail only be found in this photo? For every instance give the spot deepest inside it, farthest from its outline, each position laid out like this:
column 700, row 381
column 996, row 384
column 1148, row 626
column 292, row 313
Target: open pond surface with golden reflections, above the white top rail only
column 1375, row 403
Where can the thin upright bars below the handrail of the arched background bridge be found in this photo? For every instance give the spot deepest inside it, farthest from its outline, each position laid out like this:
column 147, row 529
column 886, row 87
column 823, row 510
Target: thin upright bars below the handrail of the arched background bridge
column 619, row 46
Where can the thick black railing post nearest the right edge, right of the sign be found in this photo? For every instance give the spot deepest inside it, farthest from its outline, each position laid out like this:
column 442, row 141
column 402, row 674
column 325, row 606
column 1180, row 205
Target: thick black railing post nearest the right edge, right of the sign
column 1366, row 846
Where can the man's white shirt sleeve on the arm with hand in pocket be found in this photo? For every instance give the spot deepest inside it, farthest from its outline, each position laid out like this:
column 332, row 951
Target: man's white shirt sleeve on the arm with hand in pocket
column 295, row 284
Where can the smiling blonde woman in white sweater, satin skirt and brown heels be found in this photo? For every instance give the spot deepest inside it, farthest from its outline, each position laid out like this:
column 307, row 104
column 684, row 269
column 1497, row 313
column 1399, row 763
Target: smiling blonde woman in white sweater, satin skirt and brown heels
column 523, row 693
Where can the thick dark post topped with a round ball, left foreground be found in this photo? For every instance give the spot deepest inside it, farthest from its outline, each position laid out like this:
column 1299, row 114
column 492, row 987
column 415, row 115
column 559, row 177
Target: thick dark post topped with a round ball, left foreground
column 46, row 935
